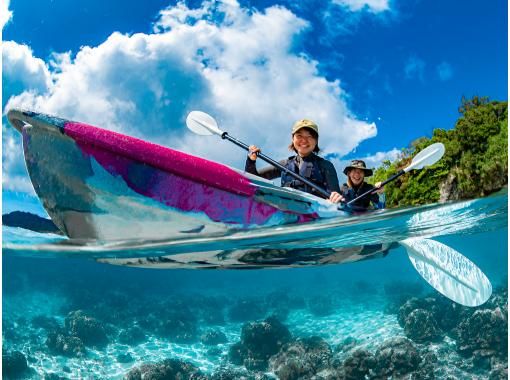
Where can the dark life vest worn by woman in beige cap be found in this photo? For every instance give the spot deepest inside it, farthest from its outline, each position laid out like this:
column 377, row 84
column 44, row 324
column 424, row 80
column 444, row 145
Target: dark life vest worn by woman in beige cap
column 313, row 171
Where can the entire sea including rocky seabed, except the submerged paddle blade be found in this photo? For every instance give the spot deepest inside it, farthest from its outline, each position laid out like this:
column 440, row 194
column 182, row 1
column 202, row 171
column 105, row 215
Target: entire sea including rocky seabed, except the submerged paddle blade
column 334, row 299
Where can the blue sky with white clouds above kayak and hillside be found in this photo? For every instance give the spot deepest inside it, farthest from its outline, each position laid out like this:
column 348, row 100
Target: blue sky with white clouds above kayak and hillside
column 374, row 74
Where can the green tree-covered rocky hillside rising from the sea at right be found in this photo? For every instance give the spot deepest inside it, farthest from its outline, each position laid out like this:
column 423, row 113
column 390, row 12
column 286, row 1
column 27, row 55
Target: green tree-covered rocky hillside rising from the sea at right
column 475, row 163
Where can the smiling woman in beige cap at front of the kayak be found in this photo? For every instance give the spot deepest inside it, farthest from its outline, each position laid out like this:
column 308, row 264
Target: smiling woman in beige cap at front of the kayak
column 306, row 162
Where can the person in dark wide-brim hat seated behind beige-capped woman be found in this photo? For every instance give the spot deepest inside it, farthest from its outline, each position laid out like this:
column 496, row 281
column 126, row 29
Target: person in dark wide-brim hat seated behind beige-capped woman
column 356, row 172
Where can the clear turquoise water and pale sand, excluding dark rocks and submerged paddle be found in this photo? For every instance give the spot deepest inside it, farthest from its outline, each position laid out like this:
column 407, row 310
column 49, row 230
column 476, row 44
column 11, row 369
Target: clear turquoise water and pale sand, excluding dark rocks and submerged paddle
column 44, row 280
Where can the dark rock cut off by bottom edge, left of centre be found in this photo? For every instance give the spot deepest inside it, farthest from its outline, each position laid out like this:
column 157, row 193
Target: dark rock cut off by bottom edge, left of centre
column 167, row 369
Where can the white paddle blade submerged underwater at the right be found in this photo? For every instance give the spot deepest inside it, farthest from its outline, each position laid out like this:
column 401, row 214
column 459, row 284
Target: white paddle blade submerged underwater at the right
column 449, row 272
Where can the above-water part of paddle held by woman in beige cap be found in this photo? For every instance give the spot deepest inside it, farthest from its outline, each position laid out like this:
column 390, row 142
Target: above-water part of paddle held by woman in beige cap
column 205, row 125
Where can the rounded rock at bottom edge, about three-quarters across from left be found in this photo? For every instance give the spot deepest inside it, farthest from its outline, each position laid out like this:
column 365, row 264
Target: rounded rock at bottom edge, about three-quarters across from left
column 396, row 357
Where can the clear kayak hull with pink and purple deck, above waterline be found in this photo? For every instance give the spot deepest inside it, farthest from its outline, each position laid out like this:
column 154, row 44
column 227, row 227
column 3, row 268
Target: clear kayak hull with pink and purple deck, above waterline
column 99, row 184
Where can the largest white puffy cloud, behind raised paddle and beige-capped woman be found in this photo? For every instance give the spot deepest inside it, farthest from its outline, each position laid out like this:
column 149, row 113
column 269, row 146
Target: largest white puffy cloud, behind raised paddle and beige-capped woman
column 237, row 64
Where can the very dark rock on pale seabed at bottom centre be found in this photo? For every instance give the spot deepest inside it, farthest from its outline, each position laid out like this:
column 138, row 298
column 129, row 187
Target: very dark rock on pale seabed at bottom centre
column 259, row 341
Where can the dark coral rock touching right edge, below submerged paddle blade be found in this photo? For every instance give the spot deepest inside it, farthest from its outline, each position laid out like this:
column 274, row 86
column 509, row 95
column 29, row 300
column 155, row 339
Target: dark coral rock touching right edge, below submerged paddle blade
column 484, row 330
